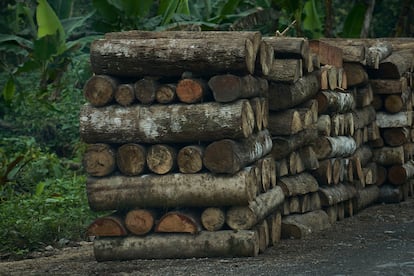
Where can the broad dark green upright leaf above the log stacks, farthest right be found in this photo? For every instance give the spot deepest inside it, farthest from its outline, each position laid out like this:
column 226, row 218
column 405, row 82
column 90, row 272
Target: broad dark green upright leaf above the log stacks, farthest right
column 354, row 21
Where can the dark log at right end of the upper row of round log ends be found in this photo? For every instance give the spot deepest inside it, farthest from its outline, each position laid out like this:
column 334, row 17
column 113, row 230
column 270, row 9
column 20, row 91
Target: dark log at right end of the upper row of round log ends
column 228, row 88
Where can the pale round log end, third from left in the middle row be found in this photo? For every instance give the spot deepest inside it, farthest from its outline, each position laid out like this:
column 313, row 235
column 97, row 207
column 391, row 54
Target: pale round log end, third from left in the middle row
column 161, row 158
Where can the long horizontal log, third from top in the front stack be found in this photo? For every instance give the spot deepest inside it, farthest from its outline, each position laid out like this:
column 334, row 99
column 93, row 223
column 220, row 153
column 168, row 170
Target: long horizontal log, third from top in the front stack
column 171, row 190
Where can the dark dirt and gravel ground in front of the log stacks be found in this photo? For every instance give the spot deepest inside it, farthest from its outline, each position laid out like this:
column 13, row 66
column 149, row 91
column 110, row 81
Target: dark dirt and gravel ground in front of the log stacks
column 377, row 241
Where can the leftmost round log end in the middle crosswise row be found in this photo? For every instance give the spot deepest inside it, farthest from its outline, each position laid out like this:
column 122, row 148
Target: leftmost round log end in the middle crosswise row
column 99, row 159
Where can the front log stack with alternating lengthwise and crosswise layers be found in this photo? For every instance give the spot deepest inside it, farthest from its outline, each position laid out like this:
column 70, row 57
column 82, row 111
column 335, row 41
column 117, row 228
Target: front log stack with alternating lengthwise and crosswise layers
column 176, row 124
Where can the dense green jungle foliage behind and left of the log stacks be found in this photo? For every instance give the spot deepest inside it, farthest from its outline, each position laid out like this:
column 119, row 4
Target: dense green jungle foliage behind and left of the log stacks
column 44, row 64
